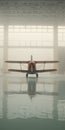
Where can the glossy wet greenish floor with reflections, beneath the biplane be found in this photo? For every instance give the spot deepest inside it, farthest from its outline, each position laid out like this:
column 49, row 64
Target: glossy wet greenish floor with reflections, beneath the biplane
column 32, row 103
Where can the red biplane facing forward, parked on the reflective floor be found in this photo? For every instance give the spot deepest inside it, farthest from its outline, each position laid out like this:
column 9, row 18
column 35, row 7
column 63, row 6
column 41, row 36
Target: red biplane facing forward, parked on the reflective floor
column 32, row 69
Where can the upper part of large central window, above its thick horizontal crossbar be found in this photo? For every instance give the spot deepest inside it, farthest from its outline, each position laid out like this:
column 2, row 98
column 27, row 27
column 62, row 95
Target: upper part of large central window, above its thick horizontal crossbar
column 30, row 36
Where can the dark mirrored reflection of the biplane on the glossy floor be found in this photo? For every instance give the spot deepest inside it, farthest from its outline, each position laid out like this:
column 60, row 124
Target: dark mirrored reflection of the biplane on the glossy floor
column 31, row 89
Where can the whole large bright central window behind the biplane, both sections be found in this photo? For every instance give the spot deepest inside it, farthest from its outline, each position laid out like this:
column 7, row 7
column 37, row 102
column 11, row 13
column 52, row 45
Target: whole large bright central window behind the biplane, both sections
column 30, row 40
